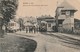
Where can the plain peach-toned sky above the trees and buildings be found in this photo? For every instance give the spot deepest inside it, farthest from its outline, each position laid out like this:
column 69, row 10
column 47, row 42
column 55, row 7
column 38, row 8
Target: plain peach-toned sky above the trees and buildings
column 43, row 10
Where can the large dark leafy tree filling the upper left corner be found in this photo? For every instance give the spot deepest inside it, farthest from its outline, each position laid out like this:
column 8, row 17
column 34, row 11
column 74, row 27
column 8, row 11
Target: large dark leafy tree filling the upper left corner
column 8, row 10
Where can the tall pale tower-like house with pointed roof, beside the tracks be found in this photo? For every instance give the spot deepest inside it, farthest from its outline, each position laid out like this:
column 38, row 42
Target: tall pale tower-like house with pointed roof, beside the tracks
column 65, row 16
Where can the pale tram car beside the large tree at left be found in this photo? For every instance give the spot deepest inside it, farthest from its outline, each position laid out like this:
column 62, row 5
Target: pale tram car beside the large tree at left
column 12, row 26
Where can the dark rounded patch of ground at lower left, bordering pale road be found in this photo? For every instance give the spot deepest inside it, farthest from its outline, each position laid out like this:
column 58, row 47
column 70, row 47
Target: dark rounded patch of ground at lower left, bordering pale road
column 12, row 43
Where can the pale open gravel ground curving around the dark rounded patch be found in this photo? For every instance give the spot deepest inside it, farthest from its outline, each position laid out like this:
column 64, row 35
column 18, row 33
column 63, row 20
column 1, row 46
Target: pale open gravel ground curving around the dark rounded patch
column 49, row 42
